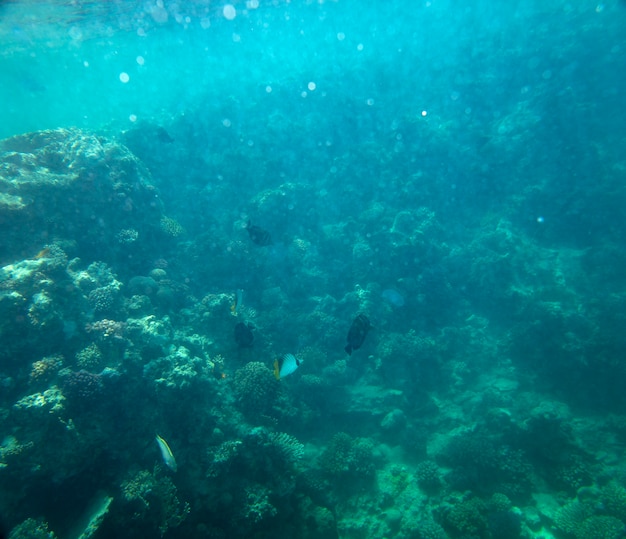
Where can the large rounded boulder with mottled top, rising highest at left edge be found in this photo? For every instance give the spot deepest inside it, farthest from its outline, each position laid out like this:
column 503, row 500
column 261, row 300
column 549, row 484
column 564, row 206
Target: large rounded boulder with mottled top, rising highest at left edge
column 67, row 183
